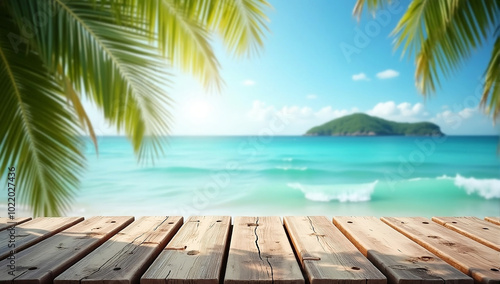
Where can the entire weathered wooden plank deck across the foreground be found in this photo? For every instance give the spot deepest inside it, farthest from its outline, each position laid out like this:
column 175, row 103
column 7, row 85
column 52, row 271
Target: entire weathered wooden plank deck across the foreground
column 218, row 249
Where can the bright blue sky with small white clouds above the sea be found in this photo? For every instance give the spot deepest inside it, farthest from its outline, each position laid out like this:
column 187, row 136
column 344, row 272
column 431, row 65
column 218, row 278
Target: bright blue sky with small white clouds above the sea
column 319, row 63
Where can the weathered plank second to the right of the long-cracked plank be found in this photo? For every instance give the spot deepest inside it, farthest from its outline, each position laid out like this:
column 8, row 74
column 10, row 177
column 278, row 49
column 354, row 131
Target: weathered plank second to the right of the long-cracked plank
column 399, row 258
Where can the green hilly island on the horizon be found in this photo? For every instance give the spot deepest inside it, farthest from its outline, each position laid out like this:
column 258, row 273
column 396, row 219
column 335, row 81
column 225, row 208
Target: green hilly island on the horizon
column 360, row 124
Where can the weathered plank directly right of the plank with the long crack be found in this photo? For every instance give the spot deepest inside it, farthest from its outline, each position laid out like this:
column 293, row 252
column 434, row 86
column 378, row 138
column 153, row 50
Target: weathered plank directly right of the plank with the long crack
column 326, row 255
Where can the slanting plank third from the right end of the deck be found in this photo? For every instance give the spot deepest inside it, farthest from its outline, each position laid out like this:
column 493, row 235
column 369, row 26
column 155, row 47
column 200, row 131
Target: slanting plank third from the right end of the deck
column 478, row 261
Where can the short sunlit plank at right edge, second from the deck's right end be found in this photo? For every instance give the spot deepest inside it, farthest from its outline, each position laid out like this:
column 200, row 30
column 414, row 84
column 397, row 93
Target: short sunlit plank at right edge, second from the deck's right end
column 479, row 230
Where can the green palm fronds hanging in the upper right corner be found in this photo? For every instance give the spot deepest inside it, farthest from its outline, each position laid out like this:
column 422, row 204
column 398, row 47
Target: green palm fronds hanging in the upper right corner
column 442, row 35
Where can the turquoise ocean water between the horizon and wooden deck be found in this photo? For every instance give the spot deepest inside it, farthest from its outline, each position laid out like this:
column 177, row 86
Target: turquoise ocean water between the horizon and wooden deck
column 265, row 175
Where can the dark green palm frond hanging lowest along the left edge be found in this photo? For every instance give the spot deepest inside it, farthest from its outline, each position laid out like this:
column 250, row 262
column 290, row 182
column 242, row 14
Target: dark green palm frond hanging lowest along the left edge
column 39, row 136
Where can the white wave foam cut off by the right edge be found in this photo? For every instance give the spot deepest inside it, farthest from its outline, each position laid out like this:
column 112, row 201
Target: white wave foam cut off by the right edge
column 487, row 188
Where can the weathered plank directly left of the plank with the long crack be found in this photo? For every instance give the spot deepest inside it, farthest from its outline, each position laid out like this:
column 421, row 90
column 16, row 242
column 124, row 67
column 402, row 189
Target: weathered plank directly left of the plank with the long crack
column 195, row 254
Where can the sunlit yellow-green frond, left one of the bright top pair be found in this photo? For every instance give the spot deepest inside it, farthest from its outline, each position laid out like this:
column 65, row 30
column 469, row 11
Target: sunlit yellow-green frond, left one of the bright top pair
column 184, row 40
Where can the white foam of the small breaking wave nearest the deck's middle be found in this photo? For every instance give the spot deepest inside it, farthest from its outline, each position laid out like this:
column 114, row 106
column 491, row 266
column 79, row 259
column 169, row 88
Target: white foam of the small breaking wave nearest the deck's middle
column 341, row 192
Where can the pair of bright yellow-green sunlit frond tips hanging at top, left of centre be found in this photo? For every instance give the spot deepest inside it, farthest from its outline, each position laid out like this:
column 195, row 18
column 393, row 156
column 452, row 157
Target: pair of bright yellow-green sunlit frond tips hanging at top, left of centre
column 184, row 25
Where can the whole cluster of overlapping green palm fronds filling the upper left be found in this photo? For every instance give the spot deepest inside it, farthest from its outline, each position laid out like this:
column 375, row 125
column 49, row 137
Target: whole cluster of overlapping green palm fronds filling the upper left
column 111, row 52
